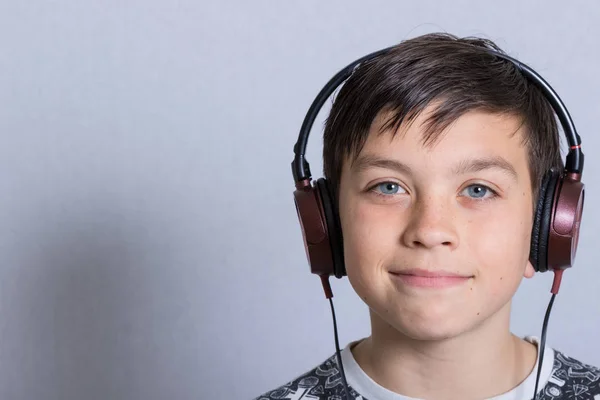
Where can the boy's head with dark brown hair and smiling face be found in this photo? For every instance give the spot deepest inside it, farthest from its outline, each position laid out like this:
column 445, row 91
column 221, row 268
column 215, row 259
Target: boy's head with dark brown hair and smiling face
column 435, row 152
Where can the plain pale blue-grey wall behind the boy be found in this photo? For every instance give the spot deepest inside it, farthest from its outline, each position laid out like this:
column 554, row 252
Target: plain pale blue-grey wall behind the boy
column 149, row 246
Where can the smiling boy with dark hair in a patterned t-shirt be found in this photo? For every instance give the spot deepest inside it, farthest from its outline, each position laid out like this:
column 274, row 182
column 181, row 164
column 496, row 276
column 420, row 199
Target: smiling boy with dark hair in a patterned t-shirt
column 436, row 152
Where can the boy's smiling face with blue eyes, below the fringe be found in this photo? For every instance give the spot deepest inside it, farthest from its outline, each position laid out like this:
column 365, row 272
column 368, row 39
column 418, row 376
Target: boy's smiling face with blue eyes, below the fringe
column 436, row 239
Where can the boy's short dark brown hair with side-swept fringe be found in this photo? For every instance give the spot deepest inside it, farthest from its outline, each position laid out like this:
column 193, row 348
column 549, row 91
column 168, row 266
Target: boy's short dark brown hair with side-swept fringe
column 459, row 75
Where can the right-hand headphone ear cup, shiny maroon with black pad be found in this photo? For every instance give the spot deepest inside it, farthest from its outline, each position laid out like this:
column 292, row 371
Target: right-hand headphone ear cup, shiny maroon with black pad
column 555, row 231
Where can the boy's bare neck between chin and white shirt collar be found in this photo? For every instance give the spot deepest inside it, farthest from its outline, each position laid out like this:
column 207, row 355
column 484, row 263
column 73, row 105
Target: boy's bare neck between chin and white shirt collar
column 482, row 363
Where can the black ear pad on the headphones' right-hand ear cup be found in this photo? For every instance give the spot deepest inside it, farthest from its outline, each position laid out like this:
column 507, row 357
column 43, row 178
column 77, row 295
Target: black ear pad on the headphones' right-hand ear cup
column 538, row 254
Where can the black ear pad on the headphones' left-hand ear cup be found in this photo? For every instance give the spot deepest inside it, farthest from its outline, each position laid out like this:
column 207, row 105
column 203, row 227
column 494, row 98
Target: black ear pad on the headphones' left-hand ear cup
column 333, row 226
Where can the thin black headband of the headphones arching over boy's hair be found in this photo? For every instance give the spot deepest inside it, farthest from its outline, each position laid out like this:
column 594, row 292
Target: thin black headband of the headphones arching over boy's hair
column 574, row 161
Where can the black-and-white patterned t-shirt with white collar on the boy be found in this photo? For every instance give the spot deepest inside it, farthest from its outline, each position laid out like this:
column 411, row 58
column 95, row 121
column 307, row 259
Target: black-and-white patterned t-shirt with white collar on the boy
column 562, row 377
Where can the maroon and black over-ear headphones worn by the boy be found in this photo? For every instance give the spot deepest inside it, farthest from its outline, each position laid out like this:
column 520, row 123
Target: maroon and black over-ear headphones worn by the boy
column 558, row 212
